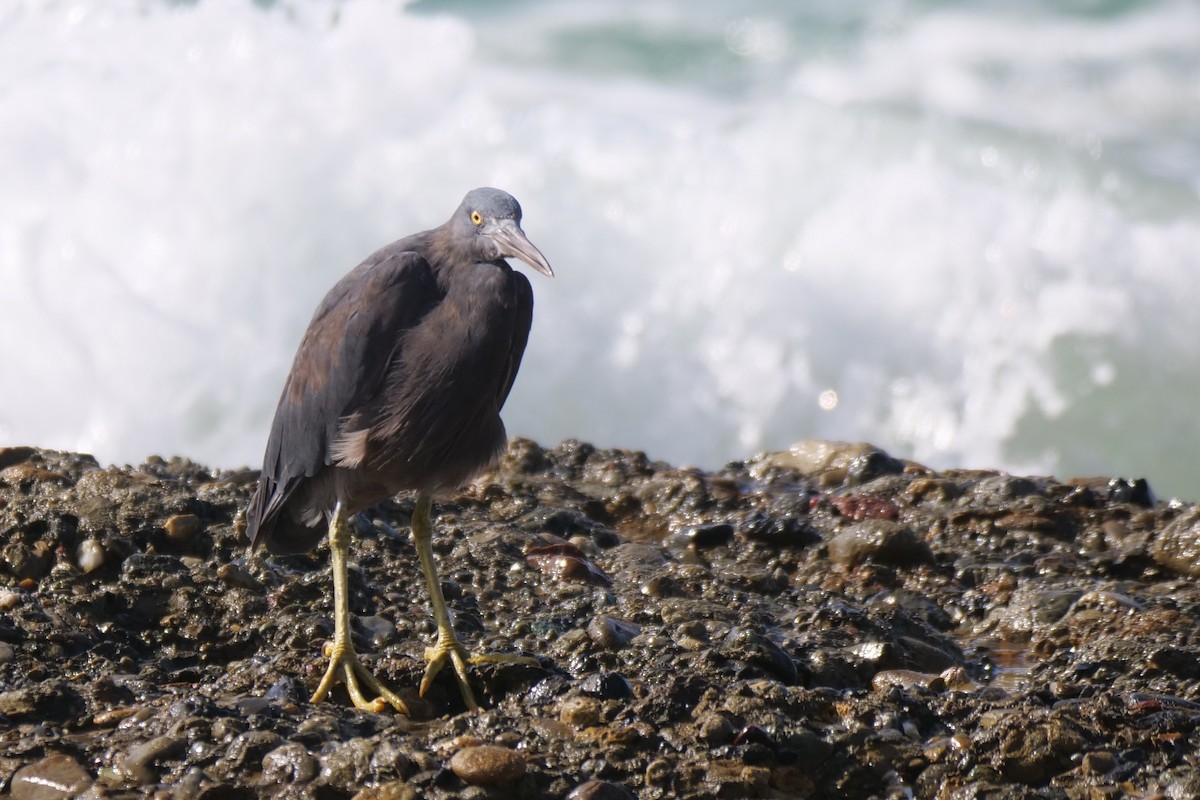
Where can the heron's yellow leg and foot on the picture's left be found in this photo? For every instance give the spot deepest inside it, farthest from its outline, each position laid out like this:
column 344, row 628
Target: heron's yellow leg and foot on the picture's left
column 344, row 661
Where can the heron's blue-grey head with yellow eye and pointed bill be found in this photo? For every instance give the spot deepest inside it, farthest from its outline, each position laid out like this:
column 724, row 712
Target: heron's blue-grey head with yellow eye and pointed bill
column 489, row 224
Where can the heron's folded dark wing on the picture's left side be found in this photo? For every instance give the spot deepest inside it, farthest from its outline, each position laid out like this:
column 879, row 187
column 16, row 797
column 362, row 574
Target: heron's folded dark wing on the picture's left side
column 341, row 364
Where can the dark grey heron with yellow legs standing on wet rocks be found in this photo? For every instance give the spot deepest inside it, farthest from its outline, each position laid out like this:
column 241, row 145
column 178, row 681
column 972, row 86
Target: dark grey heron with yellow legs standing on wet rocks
column 398, row 387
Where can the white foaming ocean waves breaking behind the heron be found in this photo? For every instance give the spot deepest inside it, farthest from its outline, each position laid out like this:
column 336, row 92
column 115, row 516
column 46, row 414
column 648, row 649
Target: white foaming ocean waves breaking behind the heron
column 968, row 233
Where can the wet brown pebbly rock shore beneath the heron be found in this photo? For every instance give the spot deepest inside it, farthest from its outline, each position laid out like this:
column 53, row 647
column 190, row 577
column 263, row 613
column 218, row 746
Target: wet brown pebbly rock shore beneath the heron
column 827, row 622
